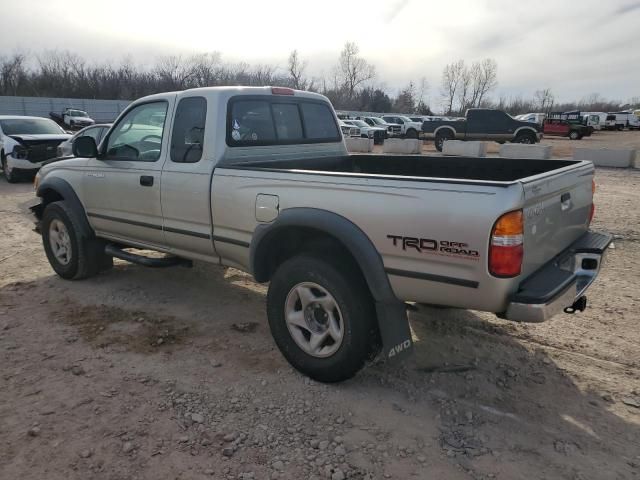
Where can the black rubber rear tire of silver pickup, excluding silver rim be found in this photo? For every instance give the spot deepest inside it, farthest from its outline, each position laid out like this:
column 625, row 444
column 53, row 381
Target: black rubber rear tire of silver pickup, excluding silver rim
column 360, row 337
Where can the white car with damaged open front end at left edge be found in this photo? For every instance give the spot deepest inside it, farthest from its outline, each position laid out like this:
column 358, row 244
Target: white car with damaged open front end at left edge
column 27, row 142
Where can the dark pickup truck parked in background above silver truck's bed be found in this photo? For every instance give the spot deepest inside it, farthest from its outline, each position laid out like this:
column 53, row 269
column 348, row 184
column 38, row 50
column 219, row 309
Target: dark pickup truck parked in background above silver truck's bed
column 482, row 124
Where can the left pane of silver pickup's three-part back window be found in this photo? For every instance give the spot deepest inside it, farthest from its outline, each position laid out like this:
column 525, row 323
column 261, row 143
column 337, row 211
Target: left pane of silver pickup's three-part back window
column 251, row 122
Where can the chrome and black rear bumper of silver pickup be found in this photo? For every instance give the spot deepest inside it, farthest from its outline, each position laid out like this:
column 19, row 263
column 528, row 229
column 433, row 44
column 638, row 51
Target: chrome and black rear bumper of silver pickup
column 559, row 283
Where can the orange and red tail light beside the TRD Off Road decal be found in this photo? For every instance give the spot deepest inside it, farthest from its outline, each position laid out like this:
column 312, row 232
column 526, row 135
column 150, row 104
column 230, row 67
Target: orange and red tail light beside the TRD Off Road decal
column 506, row 248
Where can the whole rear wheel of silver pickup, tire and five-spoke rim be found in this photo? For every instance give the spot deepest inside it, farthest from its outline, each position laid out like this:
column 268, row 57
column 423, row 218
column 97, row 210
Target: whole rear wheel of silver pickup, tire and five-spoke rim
column 321, row 317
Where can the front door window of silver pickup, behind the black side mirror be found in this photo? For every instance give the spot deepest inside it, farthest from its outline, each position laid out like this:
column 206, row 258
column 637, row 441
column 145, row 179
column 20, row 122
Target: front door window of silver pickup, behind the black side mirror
column 138, row 135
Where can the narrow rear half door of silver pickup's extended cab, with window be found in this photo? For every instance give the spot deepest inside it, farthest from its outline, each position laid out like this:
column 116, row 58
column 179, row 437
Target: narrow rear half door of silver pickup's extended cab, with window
column 186, row 181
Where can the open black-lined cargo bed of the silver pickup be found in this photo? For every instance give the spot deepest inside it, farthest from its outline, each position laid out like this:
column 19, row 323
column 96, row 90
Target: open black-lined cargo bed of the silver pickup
column 456, row 168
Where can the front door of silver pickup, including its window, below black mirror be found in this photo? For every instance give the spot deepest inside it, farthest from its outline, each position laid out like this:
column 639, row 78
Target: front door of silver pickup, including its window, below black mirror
column 122, row 185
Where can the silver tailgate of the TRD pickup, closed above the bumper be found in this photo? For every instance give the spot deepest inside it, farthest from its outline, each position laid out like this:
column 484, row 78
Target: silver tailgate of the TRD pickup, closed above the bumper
column 557, row 207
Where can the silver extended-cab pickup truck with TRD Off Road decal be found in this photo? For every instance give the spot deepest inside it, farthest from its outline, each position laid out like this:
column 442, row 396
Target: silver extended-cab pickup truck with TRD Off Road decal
column 259, row 179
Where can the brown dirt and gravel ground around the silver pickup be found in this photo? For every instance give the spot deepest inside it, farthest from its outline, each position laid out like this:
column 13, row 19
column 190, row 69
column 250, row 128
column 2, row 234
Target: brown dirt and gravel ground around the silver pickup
column 172, row 374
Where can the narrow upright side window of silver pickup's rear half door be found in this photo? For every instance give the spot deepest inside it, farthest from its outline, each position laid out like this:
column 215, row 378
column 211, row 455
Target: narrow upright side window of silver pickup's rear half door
column 187, row 137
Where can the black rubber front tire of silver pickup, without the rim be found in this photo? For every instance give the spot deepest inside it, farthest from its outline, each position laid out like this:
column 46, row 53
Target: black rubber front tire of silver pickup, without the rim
column 87, row 256
